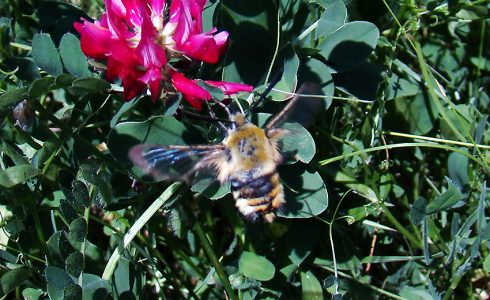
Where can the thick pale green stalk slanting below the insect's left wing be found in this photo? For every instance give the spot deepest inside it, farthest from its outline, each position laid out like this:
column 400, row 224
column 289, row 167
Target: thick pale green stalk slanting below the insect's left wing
column 129, row 236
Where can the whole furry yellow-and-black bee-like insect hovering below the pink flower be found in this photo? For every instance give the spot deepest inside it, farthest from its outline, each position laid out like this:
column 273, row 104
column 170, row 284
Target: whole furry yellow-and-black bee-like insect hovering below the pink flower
column 247, row 158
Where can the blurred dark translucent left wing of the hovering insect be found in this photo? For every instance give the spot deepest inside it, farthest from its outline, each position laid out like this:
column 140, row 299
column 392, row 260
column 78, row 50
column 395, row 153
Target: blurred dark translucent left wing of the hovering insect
column 174, row 162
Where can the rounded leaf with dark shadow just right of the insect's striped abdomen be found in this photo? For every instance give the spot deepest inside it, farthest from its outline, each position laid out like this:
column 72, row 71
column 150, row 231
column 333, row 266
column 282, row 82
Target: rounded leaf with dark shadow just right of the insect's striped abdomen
column 306, row 194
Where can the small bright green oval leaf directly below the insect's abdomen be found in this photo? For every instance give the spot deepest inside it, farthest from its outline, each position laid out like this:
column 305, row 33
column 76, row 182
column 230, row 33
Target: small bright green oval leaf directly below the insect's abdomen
column 256, row 266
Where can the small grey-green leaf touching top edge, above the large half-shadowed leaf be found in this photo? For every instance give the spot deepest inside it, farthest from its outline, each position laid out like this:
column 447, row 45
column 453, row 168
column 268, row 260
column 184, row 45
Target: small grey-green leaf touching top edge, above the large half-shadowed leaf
column 334, row 17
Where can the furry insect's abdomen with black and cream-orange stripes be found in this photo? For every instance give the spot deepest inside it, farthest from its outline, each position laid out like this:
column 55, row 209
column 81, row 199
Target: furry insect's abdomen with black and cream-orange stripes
column 259, row 197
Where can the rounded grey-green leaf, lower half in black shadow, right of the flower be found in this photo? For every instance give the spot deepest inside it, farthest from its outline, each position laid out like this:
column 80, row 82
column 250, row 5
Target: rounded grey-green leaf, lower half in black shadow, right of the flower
column 349, row 45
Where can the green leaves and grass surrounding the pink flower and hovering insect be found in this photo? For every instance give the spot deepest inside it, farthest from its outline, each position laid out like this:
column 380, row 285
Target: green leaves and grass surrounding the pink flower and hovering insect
column 401, row 148
